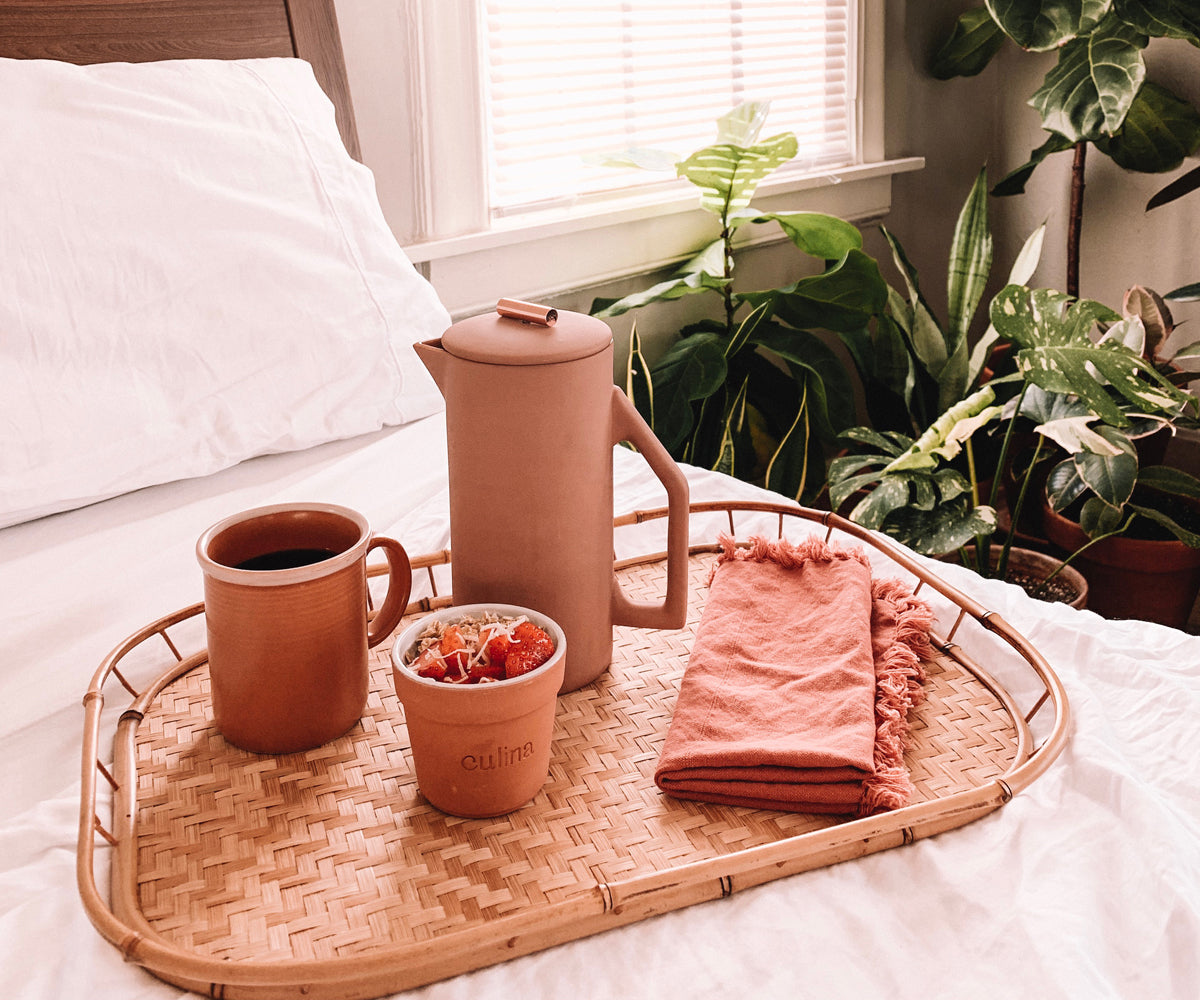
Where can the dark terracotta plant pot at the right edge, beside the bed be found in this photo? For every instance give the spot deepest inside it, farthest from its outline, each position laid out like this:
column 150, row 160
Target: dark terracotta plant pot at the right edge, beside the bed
column 1131, row 578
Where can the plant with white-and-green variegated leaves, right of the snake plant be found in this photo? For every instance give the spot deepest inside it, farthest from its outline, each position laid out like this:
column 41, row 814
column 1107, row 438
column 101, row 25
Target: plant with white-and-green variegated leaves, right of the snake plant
column 927, row 493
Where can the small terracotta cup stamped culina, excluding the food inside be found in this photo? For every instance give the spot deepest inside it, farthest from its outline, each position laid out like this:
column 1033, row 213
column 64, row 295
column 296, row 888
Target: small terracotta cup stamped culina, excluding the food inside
column 481, row 750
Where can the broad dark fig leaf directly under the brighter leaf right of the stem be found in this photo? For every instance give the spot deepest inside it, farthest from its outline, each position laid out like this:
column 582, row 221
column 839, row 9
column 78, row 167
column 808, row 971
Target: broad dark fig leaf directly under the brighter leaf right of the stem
column 842, row 298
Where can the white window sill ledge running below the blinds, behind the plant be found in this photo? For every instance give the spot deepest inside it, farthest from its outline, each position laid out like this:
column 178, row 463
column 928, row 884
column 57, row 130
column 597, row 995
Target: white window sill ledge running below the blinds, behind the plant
column 539, row 258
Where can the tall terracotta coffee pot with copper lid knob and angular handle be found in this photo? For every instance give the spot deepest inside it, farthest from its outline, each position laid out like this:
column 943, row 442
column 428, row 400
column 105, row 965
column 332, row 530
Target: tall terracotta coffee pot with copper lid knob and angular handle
column 532, row 418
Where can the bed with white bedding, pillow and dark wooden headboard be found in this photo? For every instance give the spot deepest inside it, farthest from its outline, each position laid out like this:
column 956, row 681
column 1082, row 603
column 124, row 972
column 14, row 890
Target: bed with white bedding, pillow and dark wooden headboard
column 121, row 450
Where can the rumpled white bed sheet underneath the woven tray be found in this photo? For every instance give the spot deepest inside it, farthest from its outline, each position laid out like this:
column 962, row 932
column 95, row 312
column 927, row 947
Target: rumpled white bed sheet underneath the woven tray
column 1087, row 885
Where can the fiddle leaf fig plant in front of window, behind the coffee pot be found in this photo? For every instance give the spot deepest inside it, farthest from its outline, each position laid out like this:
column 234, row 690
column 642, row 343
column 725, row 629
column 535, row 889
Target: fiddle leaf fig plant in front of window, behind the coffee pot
column 753, row 392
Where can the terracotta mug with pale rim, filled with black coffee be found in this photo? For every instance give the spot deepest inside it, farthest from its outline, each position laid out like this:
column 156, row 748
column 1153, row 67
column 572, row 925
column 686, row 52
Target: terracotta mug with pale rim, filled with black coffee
column 286, row 613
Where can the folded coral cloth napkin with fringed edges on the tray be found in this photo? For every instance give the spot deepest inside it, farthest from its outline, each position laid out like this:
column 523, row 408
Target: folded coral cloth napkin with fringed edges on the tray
column 800, row 684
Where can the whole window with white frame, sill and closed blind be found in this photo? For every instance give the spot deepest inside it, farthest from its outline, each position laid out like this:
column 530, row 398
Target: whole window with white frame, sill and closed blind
column 512, row 101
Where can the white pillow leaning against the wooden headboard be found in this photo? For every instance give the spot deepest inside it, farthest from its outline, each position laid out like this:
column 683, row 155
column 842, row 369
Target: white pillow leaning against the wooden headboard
column 193, row 272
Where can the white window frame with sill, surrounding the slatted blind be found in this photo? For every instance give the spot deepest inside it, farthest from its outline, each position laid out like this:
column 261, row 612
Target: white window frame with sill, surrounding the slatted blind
column 473, row 261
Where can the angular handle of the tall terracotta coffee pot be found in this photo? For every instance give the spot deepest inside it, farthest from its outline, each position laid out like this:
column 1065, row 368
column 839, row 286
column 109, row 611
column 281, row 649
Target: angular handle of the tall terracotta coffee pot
column 673, row 613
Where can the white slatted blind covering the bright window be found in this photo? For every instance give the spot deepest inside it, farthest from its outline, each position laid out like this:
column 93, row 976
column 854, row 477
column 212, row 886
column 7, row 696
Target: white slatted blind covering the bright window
column 577, row 80
